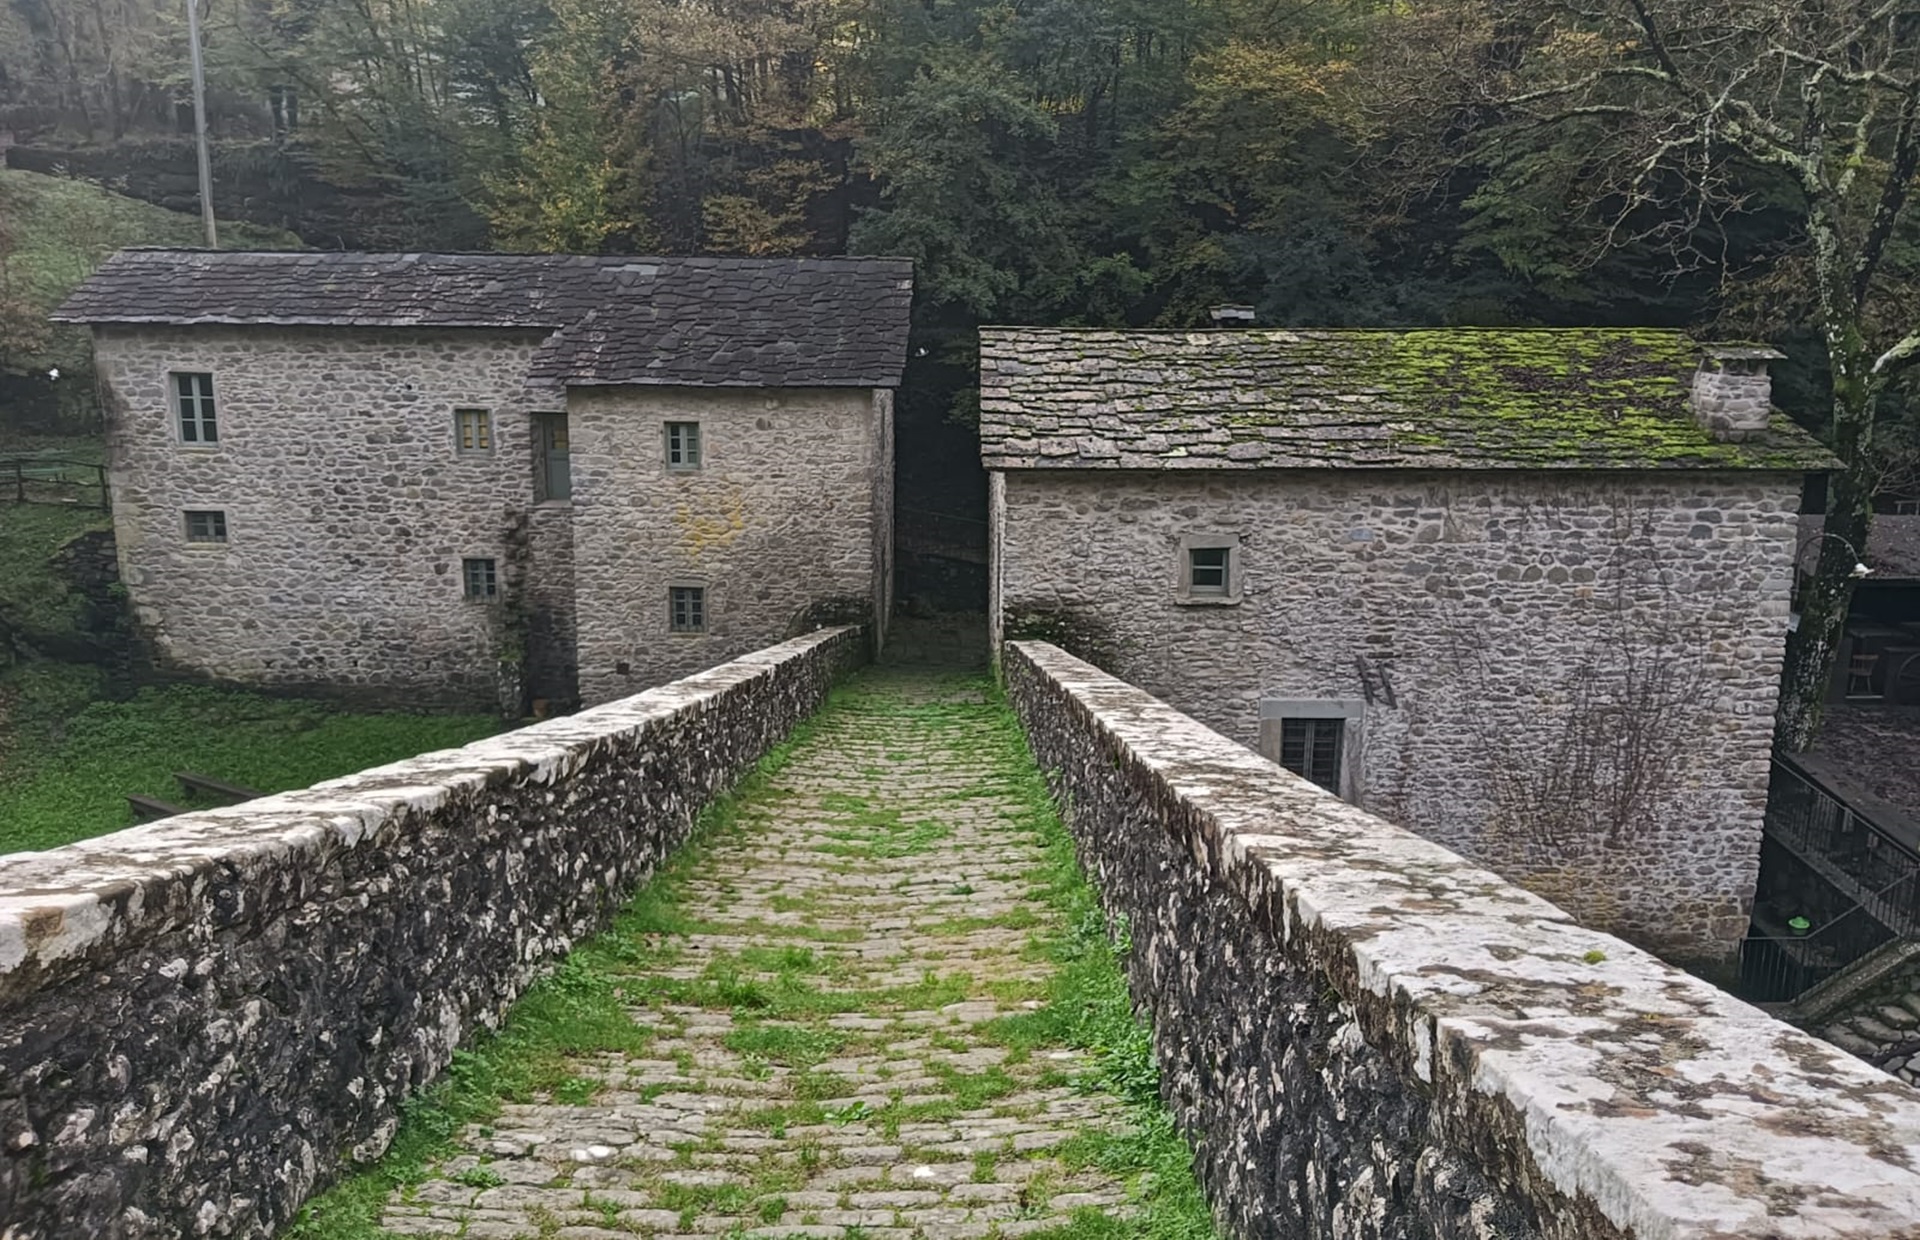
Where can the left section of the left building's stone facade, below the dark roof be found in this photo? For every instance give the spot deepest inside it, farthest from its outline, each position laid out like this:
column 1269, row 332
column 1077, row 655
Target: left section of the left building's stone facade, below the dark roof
column 348, row 504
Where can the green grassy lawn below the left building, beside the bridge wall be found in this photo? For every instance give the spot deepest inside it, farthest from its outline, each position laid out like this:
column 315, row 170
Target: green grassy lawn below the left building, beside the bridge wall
column 66, row 778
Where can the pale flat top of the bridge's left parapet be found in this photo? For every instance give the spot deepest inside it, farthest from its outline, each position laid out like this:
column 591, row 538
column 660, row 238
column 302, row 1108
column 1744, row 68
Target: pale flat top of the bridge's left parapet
column 64, row 901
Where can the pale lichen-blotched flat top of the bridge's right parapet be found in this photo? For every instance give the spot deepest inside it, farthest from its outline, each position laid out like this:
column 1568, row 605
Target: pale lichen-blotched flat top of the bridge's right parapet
column 1664, row 1101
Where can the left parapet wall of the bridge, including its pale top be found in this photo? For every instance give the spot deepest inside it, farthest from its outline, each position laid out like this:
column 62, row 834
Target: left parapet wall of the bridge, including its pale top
column 201, row 1018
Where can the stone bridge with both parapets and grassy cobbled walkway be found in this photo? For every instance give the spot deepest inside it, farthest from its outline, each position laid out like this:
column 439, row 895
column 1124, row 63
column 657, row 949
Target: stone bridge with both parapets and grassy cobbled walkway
column 848, row 1009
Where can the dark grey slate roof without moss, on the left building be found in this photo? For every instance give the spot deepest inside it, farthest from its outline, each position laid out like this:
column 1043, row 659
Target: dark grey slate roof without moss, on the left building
column 615, row 320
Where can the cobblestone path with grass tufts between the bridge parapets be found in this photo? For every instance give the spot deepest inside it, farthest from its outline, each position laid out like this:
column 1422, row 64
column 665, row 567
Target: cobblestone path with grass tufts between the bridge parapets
column 840, row 1045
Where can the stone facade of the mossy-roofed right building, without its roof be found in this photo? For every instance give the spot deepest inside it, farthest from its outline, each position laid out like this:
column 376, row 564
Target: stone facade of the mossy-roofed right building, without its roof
column 1497, row 642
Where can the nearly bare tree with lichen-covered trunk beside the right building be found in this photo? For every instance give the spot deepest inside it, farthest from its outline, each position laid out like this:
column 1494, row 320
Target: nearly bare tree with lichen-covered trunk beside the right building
column 1662, row 120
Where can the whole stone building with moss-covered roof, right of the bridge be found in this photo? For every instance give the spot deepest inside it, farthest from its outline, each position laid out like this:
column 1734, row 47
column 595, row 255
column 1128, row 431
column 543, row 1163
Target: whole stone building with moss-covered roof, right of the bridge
column 1522, row 592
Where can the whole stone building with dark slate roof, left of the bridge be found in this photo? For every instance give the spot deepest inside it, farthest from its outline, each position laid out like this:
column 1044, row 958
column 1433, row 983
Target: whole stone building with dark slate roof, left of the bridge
column 475, row 479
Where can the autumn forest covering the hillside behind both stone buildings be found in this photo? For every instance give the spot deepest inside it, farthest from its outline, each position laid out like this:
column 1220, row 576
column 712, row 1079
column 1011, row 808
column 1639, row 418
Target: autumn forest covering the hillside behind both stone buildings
column 1740, row 170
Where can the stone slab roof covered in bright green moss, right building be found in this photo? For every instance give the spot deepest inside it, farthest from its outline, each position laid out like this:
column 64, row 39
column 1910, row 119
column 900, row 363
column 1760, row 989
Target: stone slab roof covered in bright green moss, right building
column 1356, row 400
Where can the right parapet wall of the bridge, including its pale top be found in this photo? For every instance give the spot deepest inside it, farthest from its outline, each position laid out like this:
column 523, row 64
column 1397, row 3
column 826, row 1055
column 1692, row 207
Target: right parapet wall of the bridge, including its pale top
column 1366, row 1036
